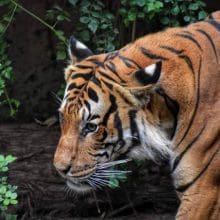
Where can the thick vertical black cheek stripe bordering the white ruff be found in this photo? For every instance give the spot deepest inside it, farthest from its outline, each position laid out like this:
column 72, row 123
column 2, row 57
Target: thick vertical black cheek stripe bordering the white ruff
column 134, row 128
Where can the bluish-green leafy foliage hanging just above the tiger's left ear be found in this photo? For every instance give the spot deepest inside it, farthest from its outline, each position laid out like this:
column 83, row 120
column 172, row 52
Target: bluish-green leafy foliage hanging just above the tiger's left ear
column 96, row 25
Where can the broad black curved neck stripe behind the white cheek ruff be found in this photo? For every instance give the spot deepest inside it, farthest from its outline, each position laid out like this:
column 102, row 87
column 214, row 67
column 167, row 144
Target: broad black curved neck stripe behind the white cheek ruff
column 173, row 107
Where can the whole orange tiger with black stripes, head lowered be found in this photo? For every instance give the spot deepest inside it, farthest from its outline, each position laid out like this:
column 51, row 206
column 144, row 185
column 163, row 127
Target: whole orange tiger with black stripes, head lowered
column 156, row 98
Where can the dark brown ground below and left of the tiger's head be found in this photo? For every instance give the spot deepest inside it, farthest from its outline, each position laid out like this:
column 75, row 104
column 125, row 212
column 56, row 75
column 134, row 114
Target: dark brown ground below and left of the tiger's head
column 147, row 194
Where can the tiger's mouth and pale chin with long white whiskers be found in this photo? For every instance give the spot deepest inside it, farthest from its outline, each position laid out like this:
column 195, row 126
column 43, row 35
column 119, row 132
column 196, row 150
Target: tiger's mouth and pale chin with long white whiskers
column 96, row 178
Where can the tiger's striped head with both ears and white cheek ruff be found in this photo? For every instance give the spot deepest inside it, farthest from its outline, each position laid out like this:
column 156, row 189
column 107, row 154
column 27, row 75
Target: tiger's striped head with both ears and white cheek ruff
column 105, row 114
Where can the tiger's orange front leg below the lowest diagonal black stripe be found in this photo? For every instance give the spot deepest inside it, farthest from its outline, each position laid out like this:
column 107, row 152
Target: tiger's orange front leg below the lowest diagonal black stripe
column 201, row 201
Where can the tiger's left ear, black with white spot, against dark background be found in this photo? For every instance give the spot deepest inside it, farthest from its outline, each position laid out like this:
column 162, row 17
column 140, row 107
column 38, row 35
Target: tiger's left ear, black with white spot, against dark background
column 77, row 50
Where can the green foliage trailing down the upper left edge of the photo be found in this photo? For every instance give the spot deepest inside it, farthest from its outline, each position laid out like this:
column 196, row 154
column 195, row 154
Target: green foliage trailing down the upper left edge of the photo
column 6, row 70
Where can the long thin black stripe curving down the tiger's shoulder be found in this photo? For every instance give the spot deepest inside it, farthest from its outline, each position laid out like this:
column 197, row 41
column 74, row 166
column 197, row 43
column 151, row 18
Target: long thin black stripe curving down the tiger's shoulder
column 196, row 105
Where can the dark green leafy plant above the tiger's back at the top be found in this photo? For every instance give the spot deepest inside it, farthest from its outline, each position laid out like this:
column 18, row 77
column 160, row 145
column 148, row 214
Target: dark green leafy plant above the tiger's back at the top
column 168, row 12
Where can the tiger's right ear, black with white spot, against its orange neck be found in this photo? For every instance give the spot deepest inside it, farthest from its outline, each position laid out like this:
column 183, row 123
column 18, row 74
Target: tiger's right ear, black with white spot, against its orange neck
column 148, row 75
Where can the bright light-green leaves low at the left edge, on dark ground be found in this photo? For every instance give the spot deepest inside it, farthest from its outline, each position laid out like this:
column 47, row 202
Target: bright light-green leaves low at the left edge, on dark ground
column 8, row 195
